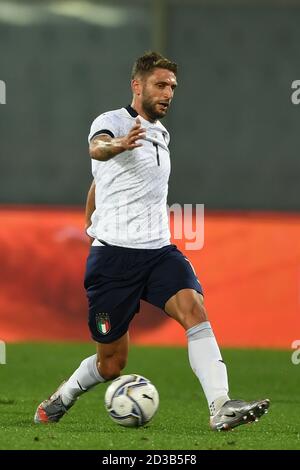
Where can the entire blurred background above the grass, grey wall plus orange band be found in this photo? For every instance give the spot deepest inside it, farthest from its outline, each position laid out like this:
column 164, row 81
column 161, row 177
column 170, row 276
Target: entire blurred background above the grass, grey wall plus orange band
column 234, row 146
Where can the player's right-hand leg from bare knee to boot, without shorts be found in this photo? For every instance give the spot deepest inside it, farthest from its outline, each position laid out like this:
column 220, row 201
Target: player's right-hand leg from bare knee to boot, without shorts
column 186, row 306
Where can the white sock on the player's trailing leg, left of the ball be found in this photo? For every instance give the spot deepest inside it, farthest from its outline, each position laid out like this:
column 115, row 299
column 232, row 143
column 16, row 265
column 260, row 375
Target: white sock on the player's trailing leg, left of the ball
column 84, row 378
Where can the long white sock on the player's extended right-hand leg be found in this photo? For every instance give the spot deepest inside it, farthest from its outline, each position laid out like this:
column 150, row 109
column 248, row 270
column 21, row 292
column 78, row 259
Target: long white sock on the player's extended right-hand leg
column 206, row 361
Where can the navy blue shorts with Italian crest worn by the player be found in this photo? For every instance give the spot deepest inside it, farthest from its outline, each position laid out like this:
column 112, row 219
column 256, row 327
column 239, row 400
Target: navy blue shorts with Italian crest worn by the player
column 118, row 278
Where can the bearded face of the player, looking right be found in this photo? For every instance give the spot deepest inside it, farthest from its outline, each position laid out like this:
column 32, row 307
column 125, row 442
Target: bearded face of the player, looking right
column 157, row 93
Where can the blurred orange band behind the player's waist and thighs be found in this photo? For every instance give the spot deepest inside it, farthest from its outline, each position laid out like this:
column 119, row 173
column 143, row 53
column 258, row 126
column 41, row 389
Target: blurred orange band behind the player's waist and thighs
column 249, row 268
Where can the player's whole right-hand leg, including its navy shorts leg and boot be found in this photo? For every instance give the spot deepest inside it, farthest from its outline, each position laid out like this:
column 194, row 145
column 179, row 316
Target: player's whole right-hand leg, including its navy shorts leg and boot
column 174, row 287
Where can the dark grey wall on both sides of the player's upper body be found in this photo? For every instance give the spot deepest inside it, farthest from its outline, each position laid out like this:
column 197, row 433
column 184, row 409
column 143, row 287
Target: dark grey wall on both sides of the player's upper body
column 234, row 130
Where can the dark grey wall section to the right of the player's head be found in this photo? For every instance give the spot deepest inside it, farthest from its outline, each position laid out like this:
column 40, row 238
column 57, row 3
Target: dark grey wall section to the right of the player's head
column 235, row 130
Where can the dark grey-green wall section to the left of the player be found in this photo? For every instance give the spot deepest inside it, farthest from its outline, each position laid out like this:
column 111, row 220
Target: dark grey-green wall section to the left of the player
column 60, row 75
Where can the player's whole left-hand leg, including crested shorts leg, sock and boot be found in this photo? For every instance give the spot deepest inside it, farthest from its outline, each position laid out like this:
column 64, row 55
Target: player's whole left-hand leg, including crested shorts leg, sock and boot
column 113, row 296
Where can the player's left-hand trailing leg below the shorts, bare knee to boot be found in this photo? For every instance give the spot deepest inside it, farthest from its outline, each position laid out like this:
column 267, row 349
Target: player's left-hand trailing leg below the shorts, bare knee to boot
column 106, row 365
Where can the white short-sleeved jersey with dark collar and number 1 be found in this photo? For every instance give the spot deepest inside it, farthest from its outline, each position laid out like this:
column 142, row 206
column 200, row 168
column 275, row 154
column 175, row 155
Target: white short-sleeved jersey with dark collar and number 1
column 132, row 187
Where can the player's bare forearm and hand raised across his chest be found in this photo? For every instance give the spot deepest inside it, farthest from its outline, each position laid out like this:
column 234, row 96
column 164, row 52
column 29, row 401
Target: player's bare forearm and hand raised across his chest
column 103, row 147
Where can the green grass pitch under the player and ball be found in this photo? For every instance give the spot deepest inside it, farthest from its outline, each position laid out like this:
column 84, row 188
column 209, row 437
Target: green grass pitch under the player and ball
column 33, row 371
